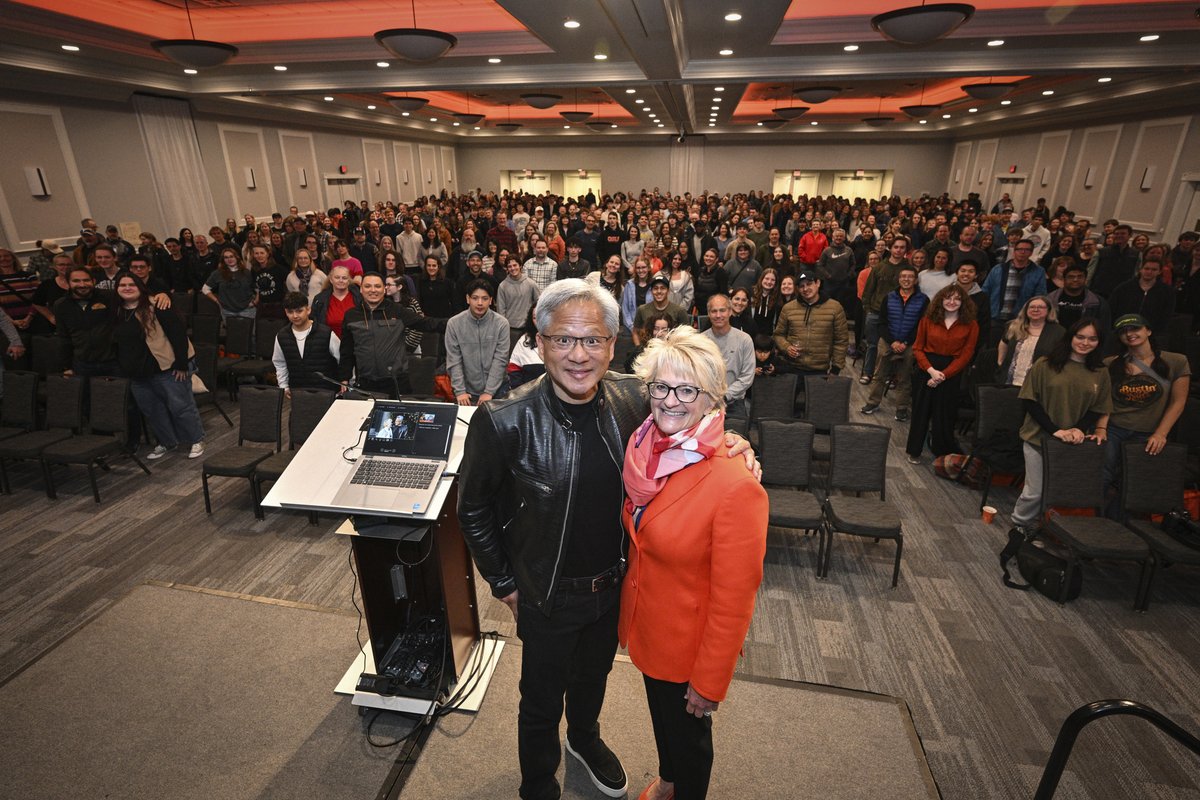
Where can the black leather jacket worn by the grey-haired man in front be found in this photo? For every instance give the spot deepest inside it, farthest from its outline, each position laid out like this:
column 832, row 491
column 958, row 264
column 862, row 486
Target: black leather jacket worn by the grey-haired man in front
column 518, row 472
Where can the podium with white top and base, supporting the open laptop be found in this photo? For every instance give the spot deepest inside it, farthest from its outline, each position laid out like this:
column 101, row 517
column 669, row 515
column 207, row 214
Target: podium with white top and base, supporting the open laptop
column 407, row 568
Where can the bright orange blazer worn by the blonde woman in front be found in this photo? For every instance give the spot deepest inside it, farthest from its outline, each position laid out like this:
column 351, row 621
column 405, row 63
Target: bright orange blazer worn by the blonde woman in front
column 695, row 564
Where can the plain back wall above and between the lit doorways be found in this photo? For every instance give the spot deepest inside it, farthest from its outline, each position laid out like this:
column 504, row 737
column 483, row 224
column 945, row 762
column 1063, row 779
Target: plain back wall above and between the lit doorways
column 920, row 167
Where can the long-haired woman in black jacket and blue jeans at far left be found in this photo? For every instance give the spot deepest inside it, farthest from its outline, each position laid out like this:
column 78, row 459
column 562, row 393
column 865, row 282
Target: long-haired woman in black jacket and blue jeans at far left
column 154, row 353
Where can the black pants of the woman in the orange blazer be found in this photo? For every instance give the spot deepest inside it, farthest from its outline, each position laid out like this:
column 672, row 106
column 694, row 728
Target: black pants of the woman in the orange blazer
column 685, row 742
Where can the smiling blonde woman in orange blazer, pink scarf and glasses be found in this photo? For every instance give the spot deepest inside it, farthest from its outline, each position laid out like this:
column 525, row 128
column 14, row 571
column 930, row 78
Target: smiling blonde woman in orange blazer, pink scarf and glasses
column 698, row 526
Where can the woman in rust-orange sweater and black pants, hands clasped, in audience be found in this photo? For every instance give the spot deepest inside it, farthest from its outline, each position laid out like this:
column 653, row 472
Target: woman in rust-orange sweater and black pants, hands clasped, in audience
column 944, row 348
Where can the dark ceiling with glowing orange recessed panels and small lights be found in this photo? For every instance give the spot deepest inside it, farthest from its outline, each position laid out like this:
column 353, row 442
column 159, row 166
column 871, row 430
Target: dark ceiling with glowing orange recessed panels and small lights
column 662, row 70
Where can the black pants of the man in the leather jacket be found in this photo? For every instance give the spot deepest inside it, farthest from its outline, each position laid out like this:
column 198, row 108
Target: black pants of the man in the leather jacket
column 567, row 655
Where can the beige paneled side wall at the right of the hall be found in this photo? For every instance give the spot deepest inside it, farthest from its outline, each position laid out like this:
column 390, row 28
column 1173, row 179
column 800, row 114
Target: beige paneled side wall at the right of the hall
column 1119, row 155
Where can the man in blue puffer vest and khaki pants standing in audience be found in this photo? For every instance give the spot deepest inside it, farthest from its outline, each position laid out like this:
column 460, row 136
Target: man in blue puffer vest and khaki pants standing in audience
column 901, row 315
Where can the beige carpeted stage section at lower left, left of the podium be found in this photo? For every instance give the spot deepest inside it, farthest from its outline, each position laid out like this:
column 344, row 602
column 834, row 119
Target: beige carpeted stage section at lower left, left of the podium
column 182, row 694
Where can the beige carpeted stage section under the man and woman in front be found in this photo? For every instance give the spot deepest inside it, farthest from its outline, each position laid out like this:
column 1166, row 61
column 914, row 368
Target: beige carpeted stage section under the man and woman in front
column 772, row 739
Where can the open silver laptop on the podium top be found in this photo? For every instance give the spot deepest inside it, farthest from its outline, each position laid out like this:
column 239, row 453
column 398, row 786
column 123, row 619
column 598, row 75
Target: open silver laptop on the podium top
column 404, row 458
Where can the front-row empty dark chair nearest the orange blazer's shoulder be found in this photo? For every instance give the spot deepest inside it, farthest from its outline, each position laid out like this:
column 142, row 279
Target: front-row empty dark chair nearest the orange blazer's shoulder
column 785, row 453
